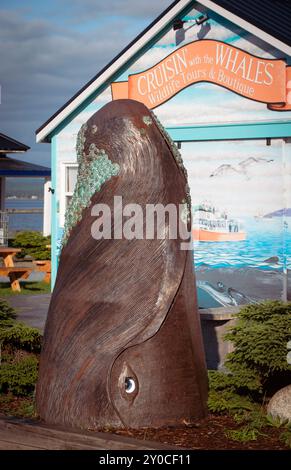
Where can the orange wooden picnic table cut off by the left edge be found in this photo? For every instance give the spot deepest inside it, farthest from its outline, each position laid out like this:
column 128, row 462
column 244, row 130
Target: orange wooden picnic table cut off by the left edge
column 10, row 270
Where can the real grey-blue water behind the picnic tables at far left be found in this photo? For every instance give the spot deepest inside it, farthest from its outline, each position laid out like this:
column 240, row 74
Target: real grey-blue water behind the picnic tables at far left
column 19, row 222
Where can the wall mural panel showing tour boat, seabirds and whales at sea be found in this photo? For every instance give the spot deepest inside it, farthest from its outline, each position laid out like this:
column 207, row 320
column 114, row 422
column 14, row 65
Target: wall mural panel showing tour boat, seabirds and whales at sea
column 241, row 220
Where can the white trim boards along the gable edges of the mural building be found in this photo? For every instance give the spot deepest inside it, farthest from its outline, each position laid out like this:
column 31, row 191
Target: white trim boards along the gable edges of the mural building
column 139, row 44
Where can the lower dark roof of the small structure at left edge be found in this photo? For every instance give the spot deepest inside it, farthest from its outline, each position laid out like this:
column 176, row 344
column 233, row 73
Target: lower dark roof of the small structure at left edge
column 11, row 167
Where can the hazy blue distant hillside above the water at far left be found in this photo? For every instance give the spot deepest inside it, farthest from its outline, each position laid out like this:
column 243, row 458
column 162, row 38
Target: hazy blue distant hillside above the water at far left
column 24, row 187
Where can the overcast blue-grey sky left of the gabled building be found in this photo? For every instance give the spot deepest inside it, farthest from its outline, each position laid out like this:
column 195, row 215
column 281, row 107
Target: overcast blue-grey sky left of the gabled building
column 49, row 49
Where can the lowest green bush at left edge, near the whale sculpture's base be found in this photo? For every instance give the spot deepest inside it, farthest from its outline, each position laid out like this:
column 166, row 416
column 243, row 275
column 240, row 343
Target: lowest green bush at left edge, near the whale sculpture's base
column 19, row 378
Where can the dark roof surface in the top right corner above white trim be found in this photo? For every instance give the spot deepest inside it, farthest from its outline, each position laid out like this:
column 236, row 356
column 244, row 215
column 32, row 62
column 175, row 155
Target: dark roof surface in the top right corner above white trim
column 272, row 16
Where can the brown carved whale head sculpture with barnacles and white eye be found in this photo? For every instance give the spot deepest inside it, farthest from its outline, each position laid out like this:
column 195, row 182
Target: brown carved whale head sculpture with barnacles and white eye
column 122, row 343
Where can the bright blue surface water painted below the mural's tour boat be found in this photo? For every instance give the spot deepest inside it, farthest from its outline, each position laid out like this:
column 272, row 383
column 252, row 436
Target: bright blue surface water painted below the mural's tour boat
column 266, row 238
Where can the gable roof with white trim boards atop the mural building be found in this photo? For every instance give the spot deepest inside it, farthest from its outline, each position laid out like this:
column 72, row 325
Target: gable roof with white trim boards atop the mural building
column 257, row 20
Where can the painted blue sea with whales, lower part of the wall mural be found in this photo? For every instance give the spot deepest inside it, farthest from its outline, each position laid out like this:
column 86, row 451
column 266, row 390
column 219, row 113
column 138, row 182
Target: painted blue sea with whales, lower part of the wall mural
column 229, row 274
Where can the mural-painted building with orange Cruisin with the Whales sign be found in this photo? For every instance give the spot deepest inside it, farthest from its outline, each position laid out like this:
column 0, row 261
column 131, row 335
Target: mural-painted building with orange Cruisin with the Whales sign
column 217, row 75
